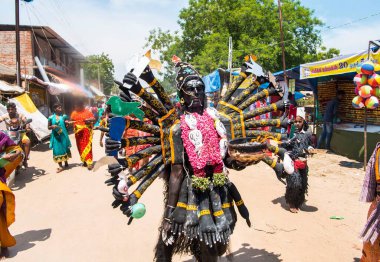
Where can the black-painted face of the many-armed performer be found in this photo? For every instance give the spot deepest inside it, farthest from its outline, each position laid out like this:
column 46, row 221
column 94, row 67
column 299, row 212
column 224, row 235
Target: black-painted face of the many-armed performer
column 193, row 93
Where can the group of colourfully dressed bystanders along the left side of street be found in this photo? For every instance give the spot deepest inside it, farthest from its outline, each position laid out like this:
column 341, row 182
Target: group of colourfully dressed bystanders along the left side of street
column 15, row 153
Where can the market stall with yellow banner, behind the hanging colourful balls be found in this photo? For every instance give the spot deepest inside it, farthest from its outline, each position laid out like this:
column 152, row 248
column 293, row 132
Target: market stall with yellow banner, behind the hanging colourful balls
column 349, row 128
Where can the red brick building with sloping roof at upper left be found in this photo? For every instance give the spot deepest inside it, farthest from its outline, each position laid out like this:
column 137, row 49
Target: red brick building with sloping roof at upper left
column 57, row 56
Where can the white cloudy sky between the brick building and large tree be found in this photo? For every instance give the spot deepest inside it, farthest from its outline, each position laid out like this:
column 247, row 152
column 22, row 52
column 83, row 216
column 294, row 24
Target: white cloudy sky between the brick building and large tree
column 116, row 27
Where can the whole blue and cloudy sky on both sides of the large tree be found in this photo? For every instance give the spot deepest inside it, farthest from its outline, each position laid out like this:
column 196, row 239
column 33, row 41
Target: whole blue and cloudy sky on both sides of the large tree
column 120, row 27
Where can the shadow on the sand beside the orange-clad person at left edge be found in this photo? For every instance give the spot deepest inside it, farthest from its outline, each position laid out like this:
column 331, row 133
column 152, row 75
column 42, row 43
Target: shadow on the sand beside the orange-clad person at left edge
column 26, row 240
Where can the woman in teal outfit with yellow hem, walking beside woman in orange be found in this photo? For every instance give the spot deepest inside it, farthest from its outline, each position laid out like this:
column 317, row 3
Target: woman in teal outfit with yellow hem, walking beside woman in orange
column 59, row 137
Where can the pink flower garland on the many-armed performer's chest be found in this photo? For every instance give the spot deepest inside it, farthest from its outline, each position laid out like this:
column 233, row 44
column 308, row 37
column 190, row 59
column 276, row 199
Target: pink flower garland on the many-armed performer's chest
column 210, row 151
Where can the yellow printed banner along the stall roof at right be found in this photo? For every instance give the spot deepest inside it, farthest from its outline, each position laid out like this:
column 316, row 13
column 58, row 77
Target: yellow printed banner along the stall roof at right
column 338, row 65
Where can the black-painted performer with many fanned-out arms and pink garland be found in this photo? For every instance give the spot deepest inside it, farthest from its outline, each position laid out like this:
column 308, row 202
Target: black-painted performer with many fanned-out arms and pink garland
column 190, row 148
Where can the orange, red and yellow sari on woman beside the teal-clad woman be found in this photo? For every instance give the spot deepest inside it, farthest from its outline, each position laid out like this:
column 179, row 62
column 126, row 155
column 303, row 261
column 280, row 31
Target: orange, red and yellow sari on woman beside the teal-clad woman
column 83, row 134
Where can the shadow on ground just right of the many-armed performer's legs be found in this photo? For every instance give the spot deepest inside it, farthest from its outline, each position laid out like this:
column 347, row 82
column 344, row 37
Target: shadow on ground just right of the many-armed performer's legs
column 248, row 253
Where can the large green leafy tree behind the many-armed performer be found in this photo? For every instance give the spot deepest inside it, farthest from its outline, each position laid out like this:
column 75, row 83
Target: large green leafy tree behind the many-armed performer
column 206, row 26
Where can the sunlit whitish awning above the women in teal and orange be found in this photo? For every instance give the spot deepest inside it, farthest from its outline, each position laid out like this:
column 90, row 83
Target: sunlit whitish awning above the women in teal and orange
column 66, row 86
